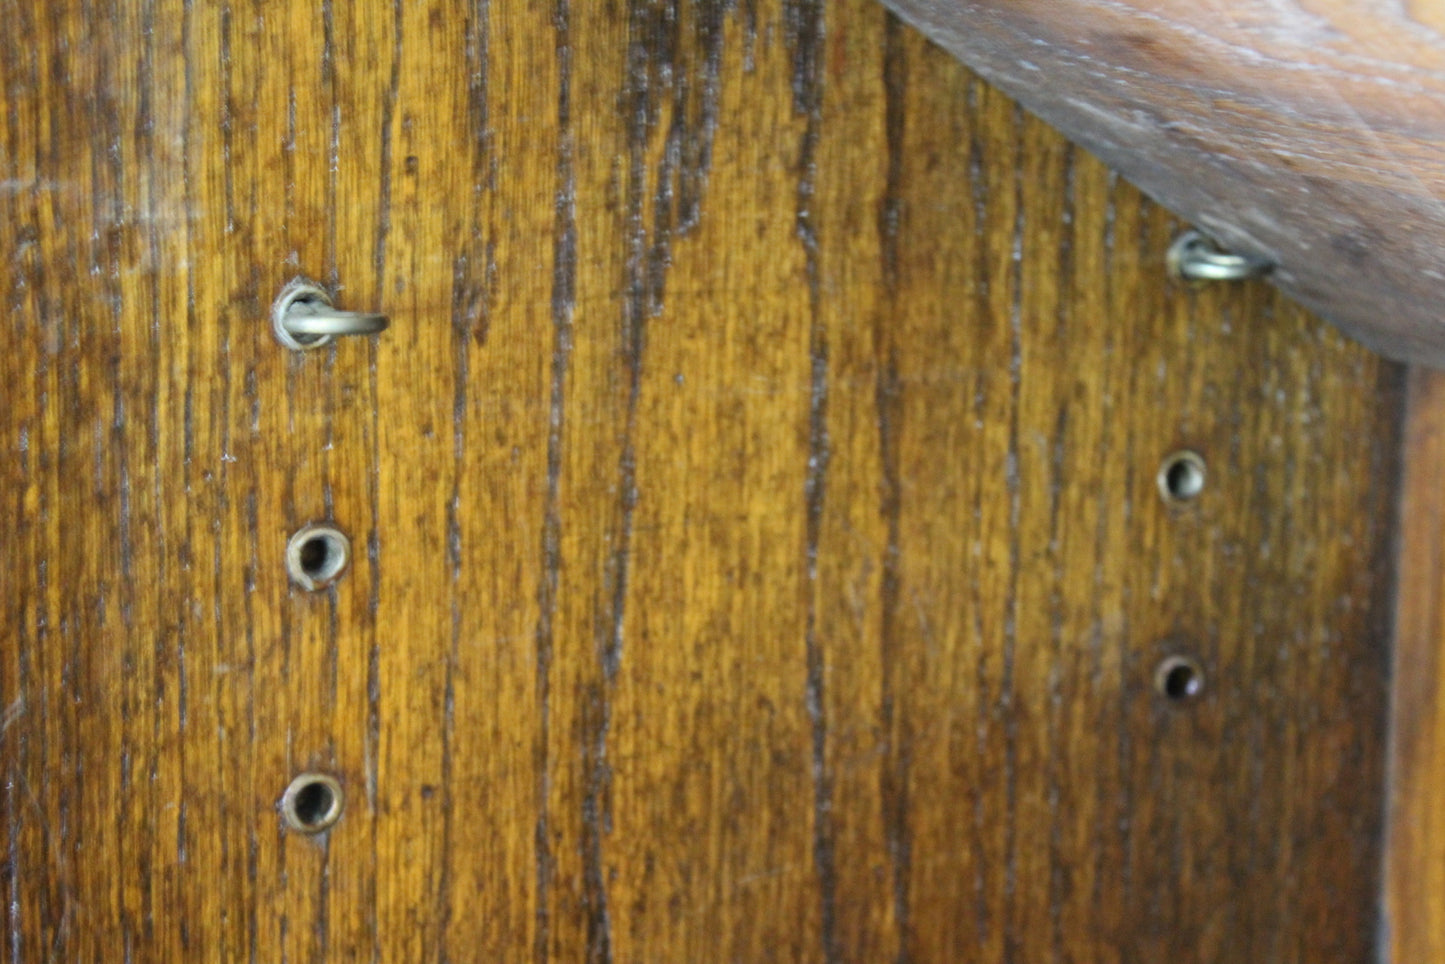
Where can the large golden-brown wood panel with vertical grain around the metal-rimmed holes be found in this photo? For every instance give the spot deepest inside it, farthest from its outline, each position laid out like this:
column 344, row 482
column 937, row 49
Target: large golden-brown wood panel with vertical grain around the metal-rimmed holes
column 758, row 544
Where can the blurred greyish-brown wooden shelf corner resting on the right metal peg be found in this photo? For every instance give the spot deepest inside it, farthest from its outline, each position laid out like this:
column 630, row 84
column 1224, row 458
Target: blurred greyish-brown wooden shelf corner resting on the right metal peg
column 1308, row 132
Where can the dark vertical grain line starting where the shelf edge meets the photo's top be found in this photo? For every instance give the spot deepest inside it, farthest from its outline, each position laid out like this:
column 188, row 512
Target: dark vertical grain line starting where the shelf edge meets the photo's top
column 897, row 758
